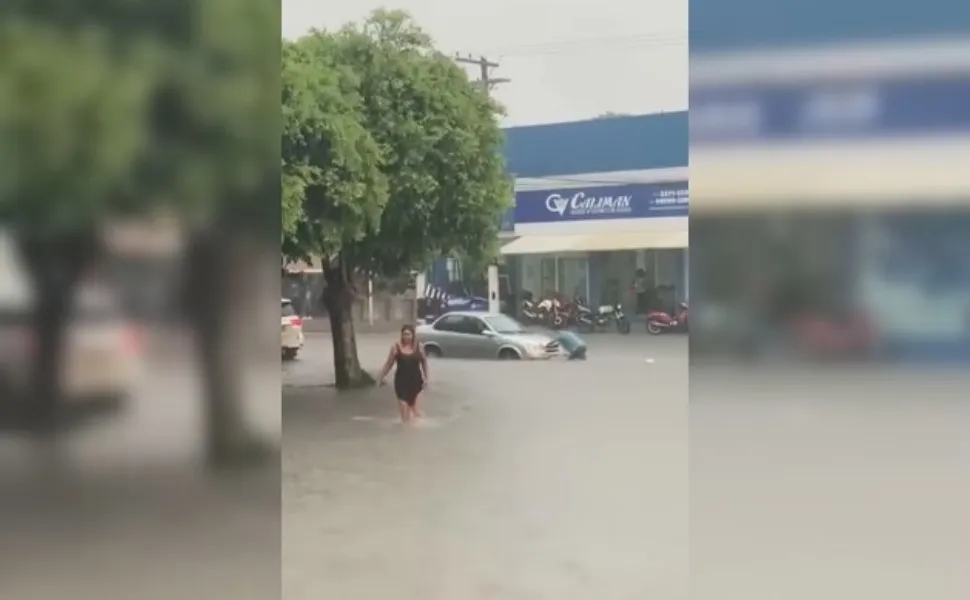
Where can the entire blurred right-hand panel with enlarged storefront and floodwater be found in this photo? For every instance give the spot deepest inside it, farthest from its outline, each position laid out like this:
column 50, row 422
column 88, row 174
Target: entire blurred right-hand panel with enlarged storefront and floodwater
column 830, row 278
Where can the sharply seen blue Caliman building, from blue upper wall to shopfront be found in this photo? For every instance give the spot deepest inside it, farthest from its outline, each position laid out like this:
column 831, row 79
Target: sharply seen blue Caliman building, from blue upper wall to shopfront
column 596, row 202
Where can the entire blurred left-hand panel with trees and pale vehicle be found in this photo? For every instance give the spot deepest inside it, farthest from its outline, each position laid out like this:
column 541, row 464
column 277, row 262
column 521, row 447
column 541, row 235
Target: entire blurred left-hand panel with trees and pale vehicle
column 166, row 116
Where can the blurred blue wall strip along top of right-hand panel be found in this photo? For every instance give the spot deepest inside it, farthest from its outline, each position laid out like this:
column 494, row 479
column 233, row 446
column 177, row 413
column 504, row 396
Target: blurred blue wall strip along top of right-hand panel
column 720, row 25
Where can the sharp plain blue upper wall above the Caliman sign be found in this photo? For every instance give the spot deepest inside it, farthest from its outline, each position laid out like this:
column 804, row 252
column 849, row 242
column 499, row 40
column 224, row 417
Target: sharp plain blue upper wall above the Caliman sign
column 598, row 146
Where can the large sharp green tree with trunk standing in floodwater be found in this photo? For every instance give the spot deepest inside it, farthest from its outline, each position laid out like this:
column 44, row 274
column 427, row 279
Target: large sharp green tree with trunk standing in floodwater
column 438, row 155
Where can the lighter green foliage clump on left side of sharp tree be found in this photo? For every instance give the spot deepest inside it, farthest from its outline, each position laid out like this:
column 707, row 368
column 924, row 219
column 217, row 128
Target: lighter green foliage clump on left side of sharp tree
column 333, row 188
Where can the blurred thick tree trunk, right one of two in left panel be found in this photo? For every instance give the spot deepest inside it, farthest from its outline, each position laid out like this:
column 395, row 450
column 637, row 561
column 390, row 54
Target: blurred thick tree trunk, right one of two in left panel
column 215, row 270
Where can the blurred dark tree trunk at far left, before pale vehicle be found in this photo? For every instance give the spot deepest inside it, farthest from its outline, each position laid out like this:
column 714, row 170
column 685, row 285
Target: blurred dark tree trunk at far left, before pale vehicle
column 55, row 265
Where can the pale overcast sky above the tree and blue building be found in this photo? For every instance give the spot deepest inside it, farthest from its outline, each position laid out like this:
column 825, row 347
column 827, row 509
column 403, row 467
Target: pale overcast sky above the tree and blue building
column 566, row 61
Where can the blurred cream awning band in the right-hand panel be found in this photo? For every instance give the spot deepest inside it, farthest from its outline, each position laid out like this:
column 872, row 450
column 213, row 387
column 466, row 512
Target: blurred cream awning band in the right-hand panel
column 841, row 175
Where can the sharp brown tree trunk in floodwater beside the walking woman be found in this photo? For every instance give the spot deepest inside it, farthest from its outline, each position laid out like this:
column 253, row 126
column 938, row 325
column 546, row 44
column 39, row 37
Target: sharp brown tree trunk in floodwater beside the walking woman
column 339, row 298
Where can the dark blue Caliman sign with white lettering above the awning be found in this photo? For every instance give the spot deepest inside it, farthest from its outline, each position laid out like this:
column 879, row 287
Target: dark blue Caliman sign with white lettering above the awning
column 634, row 201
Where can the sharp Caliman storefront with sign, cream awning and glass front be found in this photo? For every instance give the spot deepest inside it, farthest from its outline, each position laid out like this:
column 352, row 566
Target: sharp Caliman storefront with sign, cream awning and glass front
column 593, row 242
